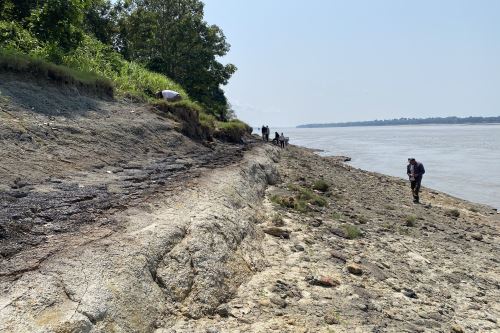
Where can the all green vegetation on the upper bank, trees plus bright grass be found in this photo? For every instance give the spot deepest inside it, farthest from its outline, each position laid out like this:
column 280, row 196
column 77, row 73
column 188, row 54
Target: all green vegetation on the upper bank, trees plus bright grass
column 132, row 48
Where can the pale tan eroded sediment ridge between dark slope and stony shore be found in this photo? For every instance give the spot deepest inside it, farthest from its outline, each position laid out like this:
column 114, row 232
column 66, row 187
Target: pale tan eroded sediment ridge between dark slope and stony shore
column 182, row 255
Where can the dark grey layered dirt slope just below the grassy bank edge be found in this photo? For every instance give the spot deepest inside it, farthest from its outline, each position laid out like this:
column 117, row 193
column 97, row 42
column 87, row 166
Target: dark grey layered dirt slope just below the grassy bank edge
column 69, row 161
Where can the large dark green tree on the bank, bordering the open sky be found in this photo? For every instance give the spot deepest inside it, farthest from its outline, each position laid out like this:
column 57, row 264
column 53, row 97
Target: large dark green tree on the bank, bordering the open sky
column 172, row 38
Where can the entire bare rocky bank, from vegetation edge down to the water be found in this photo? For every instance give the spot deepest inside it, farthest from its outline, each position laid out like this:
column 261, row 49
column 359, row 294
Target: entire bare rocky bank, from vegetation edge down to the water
column 111, row 220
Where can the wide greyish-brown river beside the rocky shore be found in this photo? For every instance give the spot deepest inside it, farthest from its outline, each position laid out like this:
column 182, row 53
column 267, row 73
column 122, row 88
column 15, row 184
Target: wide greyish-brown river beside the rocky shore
column 461, row 160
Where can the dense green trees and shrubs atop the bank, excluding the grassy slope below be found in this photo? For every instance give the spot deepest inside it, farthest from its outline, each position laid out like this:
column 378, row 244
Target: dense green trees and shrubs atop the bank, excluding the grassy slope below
column 169, row 37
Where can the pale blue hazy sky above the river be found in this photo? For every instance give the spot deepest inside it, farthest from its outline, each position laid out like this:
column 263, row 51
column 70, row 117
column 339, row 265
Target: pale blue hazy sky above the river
column 331, row 61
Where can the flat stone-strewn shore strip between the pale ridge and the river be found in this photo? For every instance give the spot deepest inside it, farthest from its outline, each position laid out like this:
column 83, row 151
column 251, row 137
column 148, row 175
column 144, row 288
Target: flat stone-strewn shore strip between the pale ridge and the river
column 357, row 255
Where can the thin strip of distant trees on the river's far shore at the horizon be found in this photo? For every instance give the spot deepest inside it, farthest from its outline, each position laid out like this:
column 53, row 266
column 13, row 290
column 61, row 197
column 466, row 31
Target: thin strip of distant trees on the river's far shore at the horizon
column 410, row 121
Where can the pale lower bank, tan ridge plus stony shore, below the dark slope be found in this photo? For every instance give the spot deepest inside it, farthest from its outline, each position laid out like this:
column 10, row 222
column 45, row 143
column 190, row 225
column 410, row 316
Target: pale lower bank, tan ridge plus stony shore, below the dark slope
column 274, row 241
